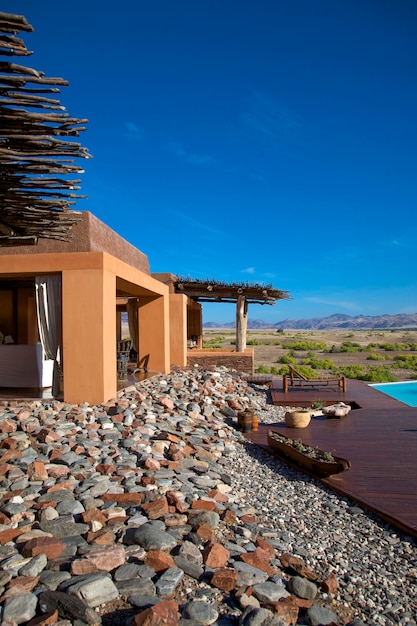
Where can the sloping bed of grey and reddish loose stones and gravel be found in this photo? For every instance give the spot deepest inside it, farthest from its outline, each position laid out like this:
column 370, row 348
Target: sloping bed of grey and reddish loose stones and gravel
column 153, row 509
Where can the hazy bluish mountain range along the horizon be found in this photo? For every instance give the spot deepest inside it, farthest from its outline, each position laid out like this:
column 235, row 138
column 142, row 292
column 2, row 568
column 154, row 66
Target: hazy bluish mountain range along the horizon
column 338, row 320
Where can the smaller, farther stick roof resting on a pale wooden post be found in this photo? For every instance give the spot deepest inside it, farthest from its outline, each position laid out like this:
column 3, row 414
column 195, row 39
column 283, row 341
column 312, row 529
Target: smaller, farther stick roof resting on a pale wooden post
column 217, row 291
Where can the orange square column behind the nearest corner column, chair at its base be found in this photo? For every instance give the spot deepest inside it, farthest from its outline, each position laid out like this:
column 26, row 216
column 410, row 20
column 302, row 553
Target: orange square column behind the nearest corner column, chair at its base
column 154, row 334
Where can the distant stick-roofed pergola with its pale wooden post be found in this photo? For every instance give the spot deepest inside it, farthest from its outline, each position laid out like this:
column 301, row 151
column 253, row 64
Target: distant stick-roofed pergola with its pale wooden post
column 242, row 294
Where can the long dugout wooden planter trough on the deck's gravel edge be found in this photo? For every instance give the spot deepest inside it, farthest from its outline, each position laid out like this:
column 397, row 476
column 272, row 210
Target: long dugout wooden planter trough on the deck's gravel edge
column 315, row 466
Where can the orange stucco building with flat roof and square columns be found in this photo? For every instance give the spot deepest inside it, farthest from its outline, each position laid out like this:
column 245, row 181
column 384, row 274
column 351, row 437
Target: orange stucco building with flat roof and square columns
column 98, row 270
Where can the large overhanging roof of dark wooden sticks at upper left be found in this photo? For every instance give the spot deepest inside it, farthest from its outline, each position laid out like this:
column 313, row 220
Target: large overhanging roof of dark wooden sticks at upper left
column 37, row 149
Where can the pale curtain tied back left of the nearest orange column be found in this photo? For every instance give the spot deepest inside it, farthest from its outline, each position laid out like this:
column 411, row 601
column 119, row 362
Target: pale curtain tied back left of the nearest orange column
column 49, row 313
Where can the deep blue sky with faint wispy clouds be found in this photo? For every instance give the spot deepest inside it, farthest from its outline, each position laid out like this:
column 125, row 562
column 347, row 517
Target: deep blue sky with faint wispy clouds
column 269, row 141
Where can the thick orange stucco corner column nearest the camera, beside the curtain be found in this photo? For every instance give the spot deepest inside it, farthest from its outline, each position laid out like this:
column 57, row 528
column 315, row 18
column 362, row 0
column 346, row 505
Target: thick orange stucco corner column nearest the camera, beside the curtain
column 89, row 335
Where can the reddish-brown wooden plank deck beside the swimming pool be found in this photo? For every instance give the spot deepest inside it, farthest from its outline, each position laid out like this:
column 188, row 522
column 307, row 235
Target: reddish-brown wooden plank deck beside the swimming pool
column 379, row 438
